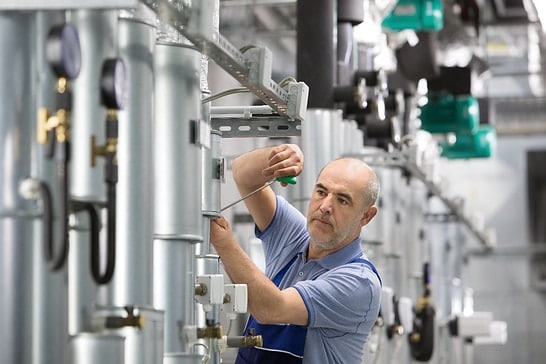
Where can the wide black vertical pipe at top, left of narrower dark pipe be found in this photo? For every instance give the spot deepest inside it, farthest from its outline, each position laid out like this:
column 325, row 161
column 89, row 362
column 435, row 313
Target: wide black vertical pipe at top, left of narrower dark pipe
column 316, row 50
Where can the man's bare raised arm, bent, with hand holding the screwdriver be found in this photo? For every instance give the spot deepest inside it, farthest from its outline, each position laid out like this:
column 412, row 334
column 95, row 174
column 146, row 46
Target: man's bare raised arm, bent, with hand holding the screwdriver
column 255, row 168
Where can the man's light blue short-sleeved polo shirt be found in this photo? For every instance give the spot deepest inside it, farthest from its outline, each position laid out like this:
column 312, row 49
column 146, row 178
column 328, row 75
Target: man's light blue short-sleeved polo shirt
column 342, row 295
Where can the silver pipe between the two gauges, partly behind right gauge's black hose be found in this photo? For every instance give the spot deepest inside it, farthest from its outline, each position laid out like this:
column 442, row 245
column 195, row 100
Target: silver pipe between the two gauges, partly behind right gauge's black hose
column 96, row 30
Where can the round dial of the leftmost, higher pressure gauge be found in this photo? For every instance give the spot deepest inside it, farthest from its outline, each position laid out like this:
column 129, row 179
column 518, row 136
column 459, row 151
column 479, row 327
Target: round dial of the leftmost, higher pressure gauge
column 63, row 51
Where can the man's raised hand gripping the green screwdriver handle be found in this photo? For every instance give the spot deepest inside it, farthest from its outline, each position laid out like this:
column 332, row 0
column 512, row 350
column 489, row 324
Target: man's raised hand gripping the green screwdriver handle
column 284, row 160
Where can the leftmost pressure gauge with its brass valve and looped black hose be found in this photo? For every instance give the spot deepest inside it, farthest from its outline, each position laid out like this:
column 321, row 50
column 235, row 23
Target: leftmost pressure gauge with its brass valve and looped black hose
column 64, row 57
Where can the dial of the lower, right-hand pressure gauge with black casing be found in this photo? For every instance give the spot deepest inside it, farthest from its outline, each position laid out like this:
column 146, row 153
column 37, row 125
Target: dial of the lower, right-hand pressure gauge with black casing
column 113, row 84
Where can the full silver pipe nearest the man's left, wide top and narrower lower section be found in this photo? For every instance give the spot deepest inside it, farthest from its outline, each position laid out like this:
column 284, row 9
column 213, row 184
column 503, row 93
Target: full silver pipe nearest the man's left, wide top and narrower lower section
column 178, row 221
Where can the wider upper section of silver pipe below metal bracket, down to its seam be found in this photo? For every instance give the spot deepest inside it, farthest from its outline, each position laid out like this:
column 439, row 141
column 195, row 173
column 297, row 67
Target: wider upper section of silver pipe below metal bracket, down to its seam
column 178, row 148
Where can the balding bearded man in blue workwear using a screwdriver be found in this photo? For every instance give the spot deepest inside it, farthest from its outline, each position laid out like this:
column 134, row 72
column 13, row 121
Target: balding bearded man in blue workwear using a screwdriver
column 320, row 297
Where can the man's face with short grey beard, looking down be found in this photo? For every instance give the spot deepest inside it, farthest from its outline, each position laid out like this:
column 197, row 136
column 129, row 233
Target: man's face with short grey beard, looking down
column 336, row 209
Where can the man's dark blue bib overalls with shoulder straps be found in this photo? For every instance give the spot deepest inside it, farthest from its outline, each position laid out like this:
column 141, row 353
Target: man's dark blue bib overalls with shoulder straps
column 282, row 343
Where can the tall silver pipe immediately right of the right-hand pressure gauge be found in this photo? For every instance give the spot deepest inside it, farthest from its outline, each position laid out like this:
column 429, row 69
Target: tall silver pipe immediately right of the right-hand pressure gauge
column 132, row 281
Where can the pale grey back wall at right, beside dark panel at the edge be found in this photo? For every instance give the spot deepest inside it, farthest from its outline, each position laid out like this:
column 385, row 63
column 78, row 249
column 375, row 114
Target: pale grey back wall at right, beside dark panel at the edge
column 502, row 281
